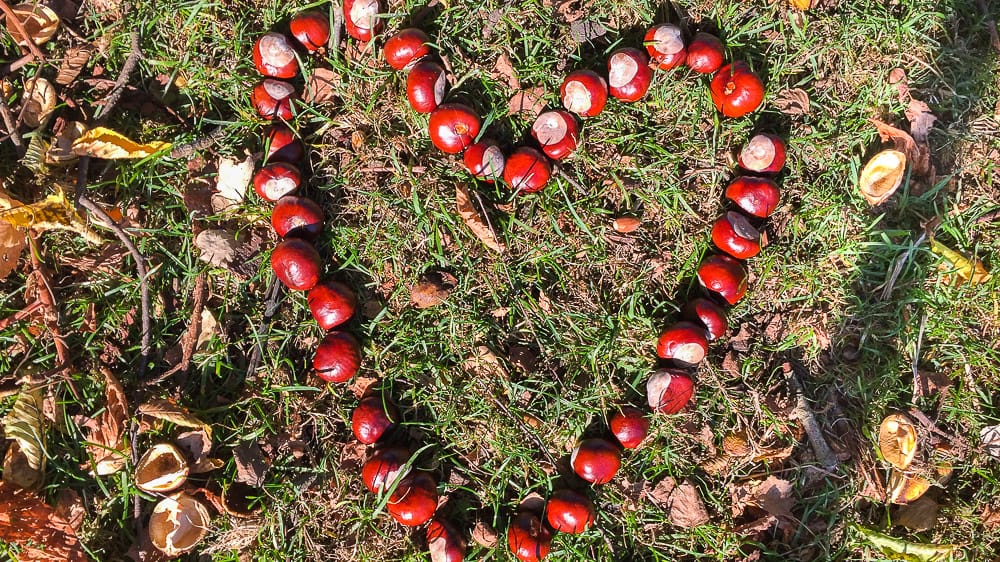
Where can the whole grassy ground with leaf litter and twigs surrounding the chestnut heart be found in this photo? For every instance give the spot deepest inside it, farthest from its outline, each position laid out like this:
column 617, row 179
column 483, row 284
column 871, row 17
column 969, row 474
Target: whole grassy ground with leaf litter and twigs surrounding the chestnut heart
column 500, row 361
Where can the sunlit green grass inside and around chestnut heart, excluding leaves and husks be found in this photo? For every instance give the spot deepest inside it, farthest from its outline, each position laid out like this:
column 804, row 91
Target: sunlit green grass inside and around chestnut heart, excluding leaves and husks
column 587, row 301
